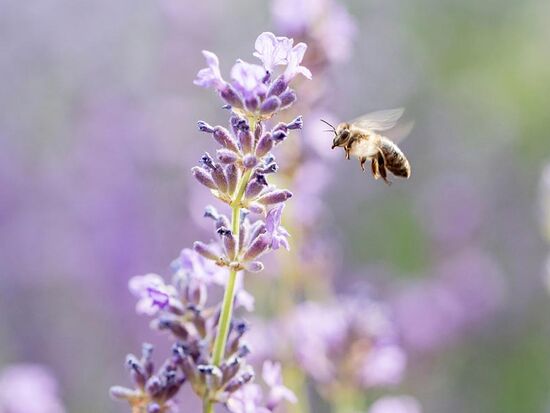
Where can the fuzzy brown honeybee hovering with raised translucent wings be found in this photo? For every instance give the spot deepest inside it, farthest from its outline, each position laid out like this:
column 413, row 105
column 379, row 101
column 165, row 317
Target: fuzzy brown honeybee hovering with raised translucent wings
column 361, row 138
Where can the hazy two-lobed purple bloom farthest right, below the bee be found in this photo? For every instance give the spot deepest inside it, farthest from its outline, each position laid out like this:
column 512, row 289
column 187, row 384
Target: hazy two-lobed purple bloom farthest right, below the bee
column 465, row 291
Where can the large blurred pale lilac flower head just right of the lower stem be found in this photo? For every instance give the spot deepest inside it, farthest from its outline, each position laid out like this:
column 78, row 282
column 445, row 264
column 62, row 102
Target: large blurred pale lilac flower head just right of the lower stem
column 352, row 341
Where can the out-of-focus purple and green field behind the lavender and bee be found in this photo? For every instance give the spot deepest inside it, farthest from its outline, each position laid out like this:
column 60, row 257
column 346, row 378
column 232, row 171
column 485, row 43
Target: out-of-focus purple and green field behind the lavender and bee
column 98, row 135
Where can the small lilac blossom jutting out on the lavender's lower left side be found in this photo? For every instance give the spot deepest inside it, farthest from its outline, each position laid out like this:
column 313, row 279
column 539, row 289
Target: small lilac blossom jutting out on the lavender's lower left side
column 154, row 295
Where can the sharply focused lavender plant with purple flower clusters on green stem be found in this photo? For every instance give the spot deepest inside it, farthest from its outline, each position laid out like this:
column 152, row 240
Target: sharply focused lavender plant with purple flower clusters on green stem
column 209, row 350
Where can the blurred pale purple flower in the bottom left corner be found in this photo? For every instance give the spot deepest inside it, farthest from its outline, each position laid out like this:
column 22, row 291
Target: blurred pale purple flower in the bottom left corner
column 28, row 388
